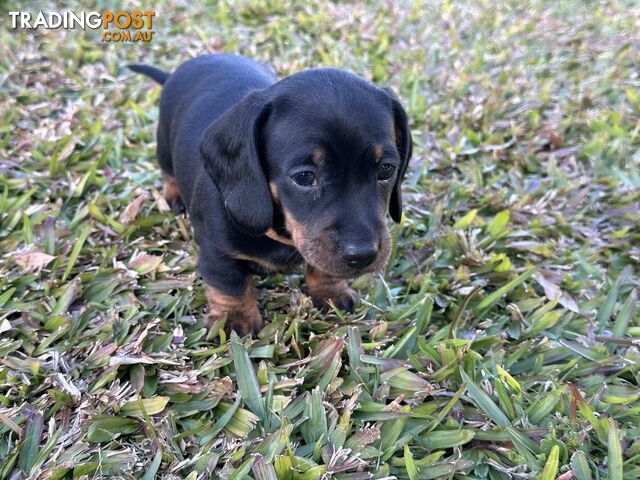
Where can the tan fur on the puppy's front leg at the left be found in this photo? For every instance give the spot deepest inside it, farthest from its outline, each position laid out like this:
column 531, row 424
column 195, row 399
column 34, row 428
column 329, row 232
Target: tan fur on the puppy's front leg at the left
column 242, row 312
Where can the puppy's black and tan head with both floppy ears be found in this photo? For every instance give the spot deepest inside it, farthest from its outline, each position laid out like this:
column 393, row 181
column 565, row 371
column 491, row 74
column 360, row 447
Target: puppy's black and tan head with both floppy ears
column 320, row 157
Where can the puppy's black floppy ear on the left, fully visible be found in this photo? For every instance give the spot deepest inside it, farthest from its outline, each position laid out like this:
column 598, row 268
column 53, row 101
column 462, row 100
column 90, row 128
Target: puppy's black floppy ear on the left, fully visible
column 231, row 151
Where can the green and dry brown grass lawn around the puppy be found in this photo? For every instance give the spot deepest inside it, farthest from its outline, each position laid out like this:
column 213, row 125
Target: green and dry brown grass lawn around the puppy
column 502, row 341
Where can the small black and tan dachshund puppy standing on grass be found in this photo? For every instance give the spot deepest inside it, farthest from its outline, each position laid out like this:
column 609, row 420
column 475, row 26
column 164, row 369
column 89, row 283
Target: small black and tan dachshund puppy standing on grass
column 277, row 173
